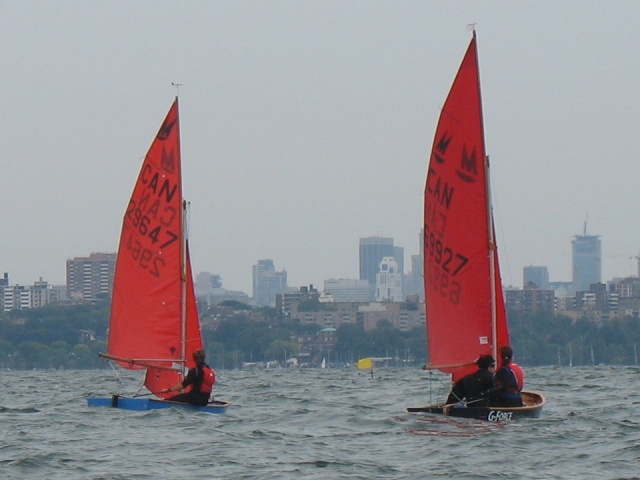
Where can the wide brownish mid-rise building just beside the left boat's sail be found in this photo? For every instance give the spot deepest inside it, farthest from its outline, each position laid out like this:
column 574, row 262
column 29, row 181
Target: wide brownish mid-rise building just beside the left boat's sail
column 91, row 278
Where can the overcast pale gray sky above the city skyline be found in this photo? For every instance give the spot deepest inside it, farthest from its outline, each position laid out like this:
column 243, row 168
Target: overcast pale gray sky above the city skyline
column 307, row 125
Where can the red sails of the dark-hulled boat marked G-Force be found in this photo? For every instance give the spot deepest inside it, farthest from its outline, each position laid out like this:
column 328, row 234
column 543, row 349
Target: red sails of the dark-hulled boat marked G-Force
column 463, row 292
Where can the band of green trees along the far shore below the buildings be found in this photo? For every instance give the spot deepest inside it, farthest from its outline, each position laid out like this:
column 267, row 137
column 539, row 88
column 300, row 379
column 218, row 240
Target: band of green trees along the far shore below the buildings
column 72, row 336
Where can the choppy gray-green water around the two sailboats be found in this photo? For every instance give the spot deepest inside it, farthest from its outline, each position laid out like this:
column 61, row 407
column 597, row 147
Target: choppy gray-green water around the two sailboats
column 318, row 424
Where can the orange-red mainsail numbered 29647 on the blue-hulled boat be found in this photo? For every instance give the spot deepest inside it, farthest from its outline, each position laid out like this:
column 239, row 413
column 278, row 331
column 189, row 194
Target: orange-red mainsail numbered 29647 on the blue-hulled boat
column 146, row 311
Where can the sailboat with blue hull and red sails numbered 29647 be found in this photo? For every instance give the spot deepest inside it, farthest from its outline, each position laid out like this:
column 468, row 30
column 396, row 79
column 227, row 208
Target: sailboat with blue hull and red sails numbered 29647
column 154, row 322
